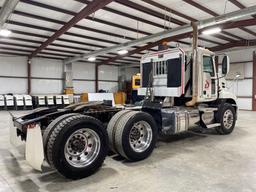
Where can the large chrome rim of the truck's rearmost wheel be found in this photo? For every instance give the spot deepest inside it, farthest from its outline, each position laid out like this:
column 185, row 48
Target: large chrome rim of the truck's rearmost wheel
column 82, row 147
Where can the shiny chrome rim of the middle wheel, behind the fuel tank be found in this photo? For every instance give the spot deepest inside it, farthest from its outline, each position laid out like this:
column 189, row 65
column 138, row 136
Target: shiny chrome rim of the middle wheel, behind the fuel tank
column 140, row 136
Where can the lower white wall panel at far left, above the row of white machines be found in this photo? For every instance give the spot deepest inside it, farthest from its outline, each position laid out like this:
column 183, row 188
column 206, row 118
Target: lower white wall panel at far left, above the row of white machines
column 13, row 85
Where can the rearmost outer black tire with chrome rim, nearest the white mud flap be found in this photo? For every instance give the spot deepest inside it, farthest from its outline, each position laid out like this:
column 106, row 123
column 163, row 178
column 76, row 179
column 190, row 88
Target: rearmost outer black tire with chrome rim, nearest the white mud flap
column 77, row 146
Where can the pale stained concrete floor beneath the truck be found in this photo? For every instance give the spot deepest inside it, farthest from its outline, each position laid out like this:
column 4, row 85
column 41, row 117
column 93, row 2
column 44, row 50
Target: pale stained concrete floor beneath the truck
column 187, row 162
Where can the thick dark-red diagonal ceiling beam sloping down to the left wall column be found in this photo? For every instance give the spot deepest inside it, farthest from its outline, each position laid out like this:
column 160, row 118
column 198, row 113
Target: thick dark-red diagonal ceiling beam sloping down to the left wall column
column 89, row 9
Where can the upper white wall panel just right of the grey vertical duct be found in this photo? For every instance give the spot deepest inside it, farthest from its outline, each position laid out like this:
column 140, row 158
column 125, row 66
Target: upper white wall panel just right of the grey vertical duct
column 83, row 70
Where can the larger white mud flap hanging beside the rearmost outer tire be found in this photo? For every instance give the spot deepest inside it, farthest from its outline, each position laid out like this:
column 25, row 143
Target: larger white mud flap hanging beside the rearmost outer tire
column 34, row 148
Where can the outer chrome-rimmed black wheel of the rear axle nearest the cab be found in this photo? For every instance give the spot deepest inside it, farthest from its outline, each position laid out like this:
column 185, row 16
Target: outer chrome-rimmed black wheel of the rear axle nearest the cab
column 136, row 135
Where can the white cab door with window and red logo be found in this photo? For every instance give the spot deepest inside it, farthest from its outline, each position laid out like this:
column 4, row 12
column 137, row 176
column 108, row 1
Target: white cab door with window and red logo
column 209, row 77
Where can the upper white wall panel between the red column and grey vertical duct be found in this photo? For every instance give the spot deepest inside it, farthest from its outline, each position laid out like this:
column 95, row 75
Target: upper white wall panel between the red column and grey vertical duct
column 47, row 68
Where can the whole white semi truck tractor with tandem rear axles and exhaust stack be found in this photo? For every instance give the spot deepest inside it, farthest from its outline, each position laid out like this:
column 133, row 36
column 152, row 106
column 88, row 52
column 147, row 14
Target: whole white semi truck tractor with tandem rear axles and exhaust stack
column 183, row 89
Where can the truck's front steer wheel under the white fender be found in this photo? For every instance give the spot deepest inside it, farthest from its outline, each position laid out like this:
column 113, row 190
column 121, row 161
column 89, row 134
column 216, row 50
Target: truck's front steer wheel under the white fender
column 227, row 119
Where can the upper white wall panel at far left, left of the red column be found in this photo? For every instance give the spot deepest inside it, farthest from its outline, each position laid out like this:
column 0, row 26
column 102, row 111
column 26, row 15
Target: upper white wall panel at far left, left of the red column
column 13, row 66
